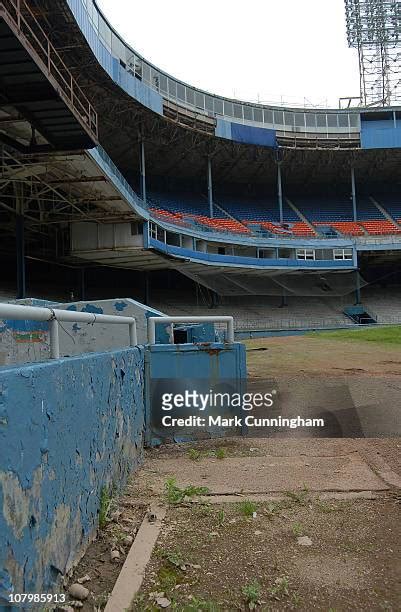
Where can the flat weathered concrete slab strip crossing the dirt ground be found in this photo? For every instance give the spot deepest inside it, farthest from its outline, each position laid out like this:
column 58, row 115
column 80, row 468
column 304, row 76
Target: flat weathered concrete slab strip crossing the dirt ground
column 267, row 474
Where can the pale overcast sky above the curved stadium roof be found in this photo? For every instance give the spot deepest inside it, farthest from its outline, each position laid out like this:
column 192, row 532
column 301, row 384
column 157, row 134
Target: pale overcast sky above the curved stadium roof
column 253, row 49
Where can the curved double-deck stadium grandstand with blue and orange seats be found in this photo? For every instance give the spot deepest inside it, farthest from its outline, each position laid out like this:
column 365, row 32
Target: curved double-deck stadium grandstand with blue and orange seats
column 117, row 175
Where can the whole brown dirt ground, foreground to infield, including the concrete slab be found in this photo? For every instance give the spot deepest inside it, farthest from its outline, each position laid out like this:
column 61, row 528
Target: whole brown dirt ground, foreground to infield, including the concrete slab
column 214, row 555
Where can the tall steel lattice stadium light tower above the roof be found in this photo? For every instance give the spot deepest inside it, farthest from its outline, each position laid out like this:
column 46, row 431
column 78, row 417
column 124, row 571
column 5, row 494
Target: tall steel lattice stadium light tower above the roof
column 374, row 28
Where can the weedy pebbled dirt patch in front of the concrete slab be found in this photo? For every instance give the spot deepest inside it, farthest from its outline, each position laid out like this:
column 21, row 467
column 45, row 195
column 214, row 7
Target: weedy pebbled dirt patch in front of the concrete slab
column 208, row 556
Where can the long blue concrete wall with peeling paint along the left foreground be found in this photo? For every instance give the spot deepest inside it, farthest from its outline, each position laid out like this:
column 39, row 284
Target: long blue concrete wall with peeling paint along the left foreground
column 67, row 429
